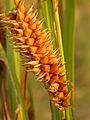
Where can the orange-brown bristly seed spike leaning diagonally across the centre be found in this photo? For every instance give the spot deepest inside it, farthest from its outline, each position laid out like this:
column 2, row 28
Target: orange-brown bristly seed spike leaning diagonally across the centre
column 31, row 40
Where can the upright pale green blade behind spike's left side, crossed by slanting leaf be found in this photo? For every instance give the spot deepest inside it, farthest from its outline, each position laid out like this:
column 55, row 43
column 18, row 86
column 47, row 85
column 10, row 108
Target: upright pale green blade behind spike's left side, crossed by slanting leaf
column 10, row 54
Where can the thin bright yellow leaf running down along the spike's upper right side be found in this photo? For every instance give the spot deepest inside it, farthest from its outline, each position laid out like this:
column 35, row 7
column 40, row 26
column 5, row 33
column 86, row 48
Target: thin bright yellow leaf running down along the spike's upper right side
column 59, row 40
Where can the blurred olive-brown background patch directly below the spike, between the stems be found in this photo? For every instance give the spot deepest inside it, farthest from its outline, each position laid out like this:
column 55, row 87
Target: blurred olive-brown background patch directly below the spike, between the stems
column 40, row 99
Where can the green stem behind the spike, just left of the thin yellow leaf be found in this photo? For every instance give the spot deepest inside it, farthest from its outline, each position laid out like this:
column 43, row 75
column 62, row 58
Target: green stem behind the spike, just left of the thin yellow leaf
column 47, row 5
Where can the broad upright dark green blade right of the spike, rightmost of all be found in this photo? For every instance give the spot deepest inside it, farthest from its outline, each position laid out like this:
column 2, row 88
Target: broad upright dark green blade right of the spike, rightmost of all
column 69, row 37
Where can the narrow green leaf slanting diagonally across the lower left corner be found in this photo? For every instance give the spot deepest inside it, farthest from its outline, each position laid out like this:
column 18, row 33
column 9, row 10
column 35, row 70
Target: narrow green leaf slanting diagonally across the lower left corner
column 15, row 81
